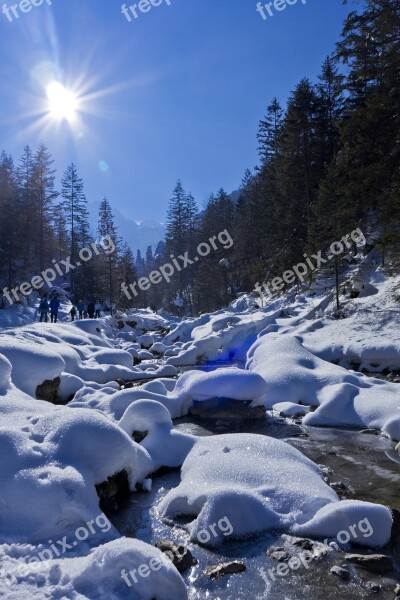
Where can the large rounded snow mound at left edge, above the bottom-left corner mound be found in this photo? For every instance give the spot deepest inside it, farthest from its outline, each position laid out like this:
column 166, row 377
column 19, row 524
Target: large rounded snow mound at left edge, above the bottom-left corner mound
column 54, row 456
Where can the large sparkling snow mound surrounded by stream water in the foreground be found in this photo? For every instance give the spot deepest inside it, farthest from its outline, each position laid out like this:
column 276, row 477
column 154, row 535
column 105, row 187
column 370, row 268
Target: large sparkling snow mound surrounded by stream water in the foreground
column 262, row 484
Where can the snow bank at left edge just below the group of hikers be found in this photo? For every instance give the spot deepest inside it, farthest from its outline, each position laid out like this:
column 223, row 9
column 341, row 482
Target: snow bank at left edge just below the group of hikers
column 43, row 352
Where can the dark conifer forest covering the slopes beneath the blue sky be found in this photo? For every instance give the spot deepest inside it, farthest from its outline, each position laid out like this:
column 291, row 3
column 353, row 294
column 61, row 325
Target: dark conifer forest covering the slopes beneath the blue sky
column 329, row 162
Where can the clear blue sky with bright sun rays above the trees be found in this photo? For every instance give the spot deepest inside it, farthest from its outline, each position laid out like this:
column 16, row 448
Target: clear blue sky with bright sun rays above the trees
column 176, row 93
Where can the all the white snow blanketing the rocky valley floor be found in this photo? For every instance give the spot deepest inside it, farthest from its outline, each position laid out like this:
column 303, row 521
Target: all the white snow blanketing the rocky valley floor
column 298, row 357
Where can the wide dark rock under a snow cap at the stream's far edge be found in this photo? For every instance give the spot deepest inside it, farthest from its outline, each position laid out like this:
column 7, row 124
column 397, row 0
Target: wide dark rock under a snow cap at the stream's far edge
column 226, row 408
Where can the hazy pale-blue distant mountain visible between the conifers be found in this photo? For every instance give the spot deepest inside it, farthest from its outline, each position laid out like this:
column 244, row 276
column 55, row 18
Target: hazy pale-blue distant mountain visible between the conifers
column 137, row 234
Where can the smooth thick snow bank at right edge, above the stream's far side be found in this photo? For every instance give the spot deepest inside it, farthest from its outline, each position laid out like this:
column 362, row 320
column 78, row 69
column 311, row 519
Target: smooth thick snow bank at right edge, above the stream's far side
column 343, row 398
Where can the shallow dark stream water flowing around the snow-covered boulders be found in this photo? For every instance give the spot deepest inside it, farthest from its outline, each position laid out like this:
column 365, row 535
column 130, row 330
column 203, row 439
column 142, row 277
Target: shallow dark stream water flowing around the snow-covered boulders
column 366, row 464
